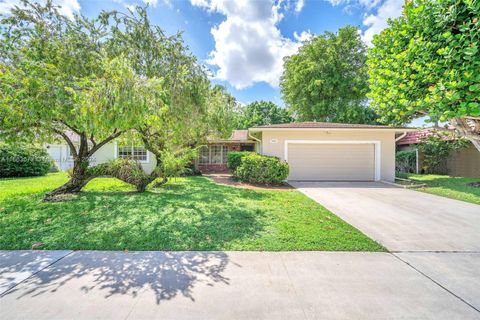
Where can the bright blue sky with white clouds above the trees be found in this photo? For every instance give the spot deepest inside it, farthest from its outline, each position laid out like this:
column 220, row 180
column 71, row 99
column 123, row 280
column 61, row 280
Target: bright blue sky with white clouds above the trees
column 243, row 42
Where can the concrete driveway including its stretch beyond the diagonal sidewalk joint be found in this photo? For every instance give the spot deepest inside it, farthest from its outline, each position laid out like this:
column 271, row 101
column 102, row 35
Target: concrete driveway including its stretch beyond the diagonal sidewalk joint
column 435, row 236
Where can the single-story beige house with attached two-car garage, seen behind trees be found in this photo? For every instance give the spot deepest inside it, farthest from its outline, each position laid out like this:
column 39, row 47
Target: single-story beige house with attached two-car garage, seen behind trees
column 314, row 150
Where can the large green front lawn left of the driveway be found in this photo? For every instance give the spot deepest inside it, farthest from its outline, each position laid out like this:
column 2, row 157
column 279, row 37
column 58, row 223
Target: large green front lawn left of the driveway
column 190, row 213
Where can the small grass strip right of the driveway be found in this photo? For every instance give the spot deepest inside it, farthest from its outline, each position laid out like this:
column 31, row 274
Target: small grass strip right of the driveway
column 450, row 187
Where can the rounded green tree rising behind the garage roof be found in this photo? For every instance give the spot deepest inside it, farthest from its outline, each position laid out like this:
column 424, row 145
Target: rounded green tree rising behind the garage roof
column 327, row 79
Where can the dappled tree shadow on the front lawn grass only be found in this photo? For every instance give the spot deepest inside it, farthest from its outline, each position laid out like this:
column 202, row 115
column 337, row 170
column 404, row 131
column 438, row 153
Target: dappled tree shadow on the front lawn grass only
column 193, row 214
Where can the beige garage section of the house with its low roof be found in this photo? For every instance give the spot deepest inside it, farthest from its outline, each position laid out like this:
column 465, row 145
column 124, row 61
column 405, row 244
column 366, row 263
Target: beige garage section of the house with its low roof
column 318, row 151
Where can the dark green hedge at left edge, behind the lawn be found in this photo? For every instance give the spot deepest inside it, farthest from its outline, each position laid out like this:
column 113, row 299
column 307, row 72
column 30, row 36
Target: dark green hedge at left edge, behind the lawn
column 23, row 161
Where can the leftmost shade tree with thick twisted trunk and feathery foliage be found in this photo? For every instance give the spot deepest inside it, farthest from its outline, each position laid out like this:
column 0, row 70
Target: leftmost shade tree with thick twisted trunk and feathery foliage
column 57, row 81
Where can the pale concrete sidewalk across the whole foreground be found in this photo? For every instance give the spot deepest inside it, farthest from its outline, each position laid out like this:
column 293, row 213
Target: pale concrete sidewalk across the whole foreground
column 240, row 285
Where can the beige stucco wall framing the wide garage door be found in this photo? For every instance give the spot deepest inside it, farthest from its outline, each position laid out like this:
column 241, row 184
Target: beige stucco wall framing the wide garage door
column 273, row 144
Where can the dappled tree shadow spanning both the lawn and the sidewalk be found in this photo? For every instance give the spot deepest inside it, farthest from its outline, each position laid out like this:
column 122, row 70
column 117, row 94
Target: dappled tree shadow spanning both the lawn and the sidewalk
column 192, row 214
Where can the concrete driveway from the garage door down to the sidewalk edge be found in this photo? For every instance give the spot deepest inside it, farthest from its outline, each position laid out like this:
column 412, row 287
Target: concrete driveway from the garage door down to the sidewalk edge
column 400, row 219
